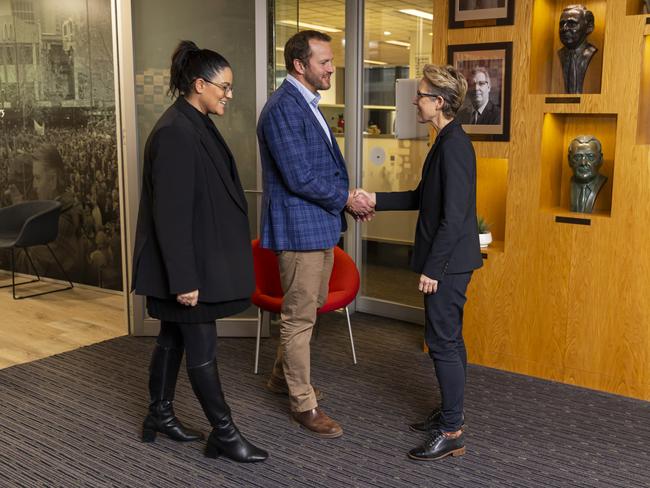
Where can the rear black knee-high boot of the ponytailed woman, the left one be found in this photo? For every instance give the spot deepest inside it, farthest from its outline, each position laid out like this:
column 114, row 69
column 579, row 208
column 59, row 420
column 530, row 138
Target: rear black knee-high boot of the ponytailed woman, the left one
column 165, row 363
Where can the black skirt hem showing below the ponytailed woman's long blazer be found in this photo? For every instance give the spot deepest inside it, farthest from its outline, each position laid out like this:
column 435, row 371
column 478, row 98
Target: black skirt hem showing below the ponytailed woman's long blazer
column 172, row 311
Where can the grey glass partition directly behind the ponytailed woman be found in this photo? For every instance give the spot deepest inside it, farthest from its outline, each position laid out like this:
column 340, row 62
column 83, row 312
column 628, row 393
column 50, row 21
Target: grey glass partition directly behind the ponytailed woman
column 223, row 26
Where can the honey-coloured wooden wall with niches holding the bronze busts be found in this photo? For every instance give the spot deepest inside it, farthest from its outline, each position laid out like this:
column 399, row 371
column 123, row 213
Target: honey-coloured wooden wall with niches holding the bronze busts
column 561, row 301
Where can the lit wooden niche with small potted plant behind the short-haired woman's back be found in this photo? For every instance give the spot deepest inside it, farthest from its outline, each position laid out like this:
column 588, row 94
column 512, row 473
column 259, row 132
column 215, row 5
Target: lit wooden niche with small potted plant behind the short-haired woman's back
column 491, row 191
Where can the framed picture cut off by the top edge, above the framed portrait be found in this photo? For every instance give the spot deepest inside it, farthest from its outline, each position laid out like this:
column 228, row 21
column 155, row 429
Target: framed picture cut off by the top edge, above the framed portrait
column 473, row 13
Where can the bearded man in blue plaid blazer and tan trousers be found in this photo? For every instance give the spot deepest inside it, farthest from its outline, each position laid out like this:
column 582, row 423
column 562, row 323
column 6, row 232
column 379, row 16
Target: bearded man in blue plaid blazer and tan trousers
column 305, row 196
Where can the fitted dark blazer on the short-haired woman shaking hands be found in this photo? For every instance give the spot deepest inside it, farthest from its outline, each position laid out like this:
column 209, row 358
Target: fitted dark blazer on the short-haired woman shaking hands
column 446, row 237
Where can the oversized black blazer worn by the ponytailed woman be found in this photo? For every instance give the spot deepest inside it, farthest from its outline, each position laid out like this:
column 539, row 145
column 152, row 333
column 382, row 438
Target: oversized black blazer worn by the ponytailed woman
column 193, row 228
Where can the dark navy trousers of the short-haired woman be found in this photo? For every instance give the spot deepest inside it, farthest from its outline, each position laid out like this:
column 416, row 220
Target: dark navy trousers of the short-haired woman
column 444, row 336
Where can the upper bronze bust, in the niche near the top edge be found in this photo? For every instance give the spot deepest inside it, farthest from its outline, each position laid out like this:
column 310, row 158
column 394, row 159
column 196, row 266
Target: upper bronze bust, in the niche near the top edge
column 576, row 23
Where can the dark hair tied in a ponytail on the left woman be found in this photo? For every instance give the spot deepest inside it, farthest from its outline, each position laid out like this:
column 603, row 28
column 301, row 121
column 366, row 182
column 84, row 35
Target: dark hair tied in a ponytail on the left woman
column 189, row 63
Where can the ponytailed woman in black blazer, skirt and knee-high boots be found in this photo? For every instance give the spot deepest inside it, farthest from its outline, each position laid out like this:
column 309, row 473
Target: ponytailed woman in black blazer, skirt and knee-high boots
column 193, row 257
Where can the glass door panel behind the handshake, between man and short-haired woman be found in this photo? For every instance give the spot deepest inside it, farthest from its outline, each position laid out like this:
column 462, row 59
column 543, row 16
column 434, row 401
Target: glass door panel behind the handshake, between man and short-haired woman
column 397, row 44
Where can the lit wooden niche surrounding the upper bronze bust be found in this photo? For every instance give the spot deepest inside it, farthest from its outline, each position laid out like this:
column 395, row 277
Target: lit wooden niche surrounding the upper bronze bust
column 545, row 68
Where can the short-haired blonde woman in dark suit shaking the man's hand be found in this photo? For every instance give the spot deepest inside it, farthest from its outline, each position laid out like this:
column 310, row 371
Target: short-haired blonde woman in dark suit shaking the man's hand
column 446, row 250
